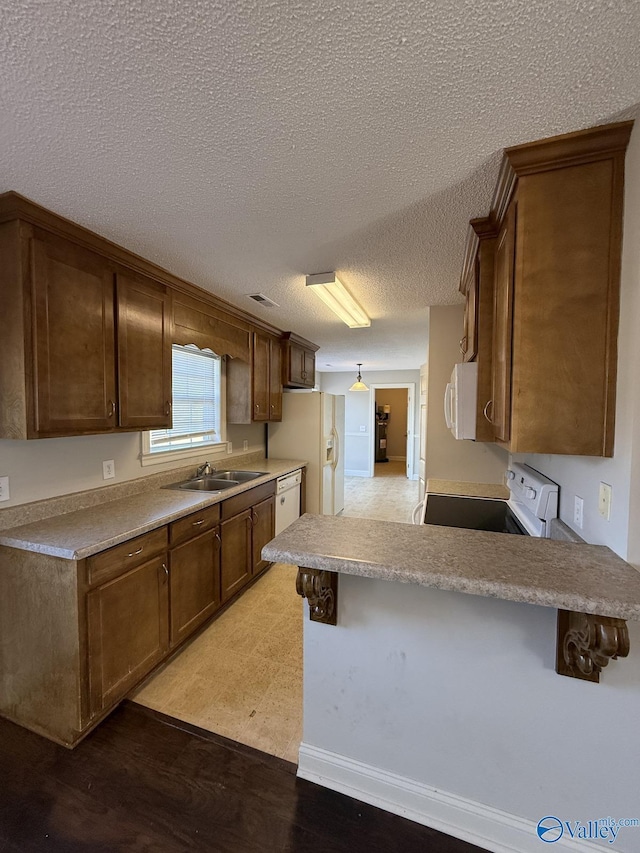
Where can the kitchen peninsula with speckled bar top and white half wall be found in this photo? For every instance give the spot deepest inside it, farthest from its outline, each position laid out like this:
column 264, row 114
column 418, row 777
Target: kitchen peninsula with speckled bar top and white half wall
column 435, row 705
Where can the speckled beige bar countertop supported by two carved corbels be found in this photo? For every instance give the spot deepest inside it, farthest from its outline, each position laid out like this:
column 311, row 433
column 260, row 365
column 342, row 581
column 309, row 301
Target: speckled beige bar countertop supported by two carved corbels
column 581, row 578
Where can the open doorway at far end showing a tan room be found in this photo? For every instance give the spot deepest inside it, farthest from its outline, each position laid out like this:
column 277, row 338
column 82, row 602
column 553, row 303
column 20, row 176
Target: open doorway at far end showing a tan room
column 392, row 428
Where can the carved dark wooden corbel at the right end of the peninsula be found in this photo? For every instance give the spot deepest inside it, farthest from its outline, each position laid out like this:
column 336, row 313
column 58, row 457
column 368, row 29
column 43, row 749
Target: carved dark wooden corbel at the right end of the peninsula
column 586, row 643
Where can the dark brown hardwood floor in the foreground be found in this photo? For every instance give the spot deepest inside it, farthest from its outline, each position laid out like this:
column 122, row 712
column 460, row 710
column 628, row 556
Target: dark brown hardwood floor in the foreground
column 145, row 782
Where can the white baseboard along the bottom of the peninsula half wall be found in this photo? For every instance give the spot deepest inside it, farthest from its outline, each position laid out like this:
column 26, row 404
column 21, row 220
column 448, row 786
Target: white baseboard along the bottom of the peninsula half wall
column 471, row 821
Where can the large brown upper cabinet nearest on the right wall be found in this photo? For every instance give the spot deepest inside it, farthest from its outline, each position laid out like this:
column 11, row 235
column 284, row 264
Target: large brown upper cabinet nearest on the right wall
column 559, row 206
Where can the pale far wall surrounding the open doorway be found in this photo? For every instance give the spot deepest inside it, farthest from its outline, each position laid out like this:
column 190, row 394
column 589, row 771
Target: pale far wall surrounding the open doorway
column 359, row 444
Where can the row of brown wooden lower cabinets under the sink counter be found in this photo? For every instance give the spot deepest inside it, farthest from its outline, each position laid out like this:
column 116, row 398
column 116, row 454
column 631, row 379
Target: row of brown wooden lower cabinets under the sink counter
column 76, row 636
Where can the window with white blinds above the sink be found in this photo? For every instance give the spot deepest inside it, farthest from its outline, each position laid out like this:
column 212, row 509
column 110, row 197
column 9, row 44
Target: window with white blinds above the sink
column 197, row 404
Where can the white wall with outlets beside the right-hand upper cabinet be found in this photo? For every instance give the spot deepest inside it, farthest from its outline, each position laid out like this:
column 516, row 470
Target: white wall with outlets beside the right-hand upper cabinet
column 582, row 475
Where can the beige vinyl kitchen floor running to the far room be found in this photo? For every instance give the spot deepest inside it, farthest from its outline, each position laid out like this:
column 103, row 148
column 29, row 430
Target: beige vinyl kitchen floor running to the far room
column 242, row 676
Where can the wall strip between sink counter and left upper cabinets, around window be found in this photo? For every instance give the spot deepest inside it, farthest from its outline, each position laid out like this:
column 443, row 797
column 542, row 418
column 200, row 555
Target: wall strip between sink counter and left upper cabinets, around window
column 50, row 467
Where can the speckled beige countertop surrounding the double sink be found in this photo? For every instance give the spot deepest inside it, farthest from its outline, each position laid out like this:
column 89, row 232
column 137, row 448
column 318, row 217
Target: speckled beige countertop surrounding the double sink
column 83, row 532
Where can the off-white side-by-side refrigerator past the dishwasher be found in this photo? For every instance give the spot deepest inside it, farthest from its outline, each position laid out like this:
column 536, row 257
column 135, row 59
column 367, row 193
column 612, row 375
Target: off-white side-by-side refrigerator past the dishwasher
column 312, row 429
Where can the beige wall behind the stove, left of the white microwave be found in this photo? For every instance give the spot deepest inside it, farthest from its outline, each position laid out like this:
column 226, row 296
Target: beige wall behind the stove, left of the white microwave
column 446, row 457
